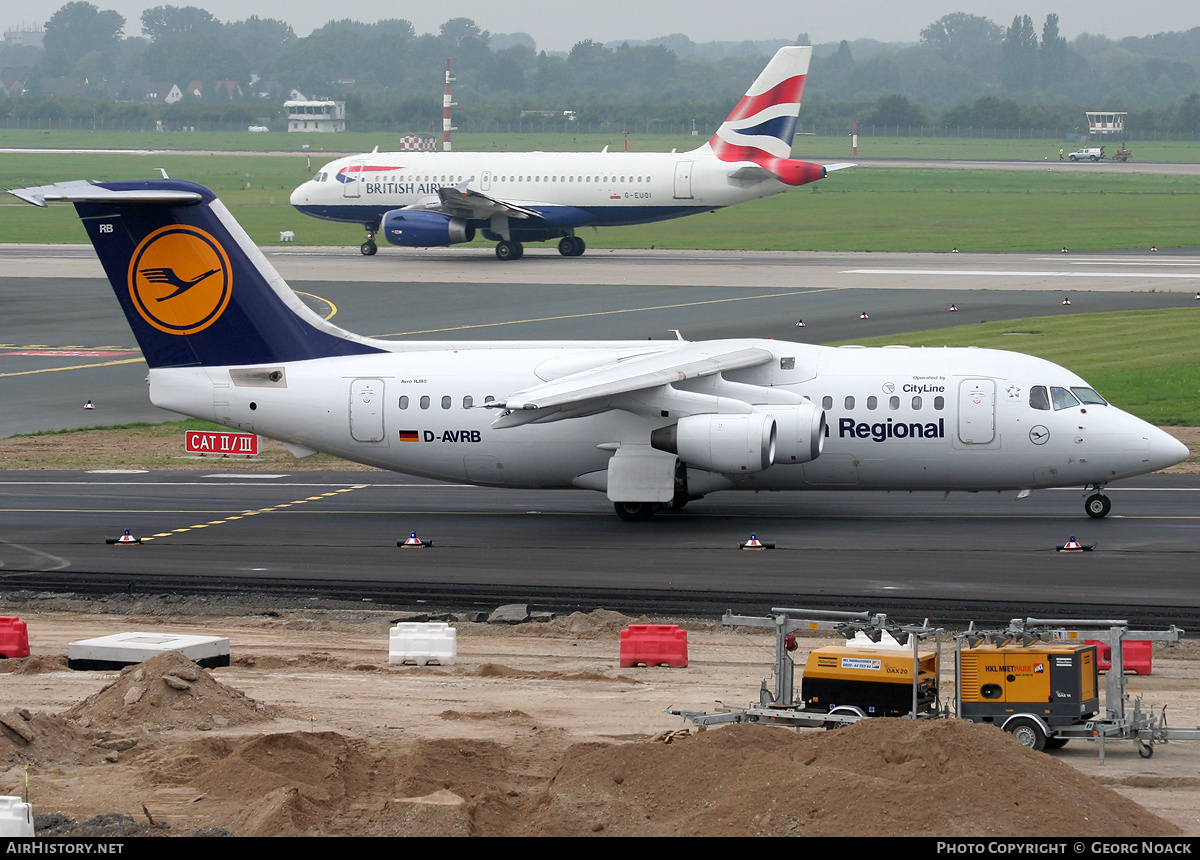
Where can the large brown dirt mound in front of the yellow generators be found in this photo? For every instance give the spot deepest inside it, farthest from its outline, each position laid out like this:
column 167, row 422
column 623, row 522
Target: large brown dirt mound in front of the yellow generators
column 879, row 778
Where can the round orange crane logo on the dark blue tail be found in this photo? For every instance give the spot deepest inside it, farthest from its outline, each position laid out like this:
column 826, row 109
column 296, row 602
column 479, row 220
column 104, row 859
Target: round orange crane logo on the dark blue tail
column 181, row 280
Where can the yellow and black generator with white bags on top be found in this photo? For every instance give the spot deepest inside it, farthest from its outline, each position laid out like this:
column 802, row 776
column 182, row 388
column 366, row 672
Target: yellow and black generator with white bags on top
column 871, row 679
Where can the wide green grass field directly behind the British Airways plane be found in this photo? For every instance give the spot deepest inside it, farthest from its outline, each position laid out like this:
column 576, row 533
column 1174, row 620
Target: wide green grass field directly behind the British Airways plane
column 865, row 209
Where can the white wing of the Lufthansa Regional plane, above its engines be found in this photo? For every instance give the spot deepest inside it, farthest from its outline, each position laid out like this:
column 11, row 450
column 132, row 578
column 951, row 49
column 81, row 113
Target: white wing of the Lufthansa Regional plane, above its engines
column 592, row 392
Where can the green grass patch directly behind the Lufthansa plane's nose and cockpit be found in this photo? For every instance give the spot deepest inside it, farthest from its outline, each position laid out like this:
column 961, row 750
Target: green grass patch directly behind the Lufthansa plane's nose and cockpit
column 1148, row 363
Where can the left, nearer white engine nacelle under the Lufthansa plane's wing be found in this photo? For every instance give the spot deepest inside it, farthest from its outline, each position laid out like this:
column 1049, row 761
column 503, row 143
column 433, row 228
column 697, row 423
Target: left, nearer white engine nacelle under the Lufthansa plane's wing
column 722, row 443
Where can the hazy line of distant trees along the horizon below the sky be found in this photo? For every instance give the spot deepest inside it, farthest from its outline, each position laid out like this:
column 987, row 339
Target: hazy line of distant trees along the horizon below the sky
column 967, row 71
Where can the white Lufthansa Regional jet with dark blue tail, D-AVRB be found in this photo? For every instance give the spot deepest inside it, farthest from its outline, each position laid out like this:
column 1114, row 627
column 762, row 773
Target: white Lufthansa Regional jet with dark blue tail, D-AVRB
column 652, row 424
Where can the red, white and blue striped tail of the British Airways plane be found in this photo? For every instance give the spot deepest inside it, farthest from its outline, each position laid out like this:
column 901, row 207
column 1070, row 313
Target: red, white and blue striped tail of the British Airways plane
column 763, row 125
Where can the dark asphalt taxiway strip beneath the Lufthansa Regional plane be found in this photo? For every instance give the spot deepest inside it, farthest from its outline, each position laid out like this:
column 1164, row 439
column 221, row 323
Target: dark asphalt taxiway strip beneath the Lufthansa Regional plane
column 955, row 560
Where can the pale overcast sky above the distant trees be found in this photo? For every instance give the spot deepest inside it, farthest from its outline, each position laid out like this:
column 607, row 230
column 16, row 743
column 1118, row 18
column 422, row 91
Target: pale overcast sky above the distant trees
column 557, row 26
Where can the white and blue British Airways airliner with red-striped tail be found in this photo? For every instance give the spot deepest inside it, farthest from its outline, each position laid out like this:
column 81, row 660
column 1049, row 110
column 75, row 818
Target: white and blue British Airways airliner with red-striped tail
column 434, row 200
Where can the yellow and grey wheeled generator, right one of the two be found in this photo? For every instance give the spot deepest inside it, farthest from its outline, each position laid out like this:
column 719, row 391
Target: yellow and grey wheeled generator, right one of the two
column 1029, row 690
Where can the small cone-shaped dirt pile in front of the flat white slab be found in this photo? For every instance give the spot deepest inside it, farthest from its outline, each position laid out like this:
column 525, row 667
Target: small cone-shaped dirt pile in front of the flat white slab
column 167, row 693
